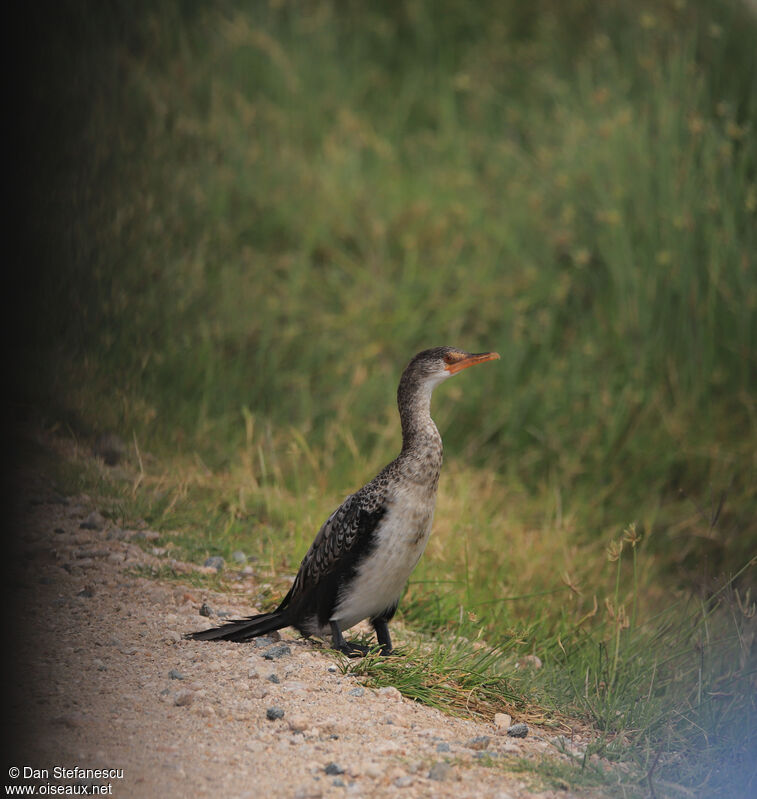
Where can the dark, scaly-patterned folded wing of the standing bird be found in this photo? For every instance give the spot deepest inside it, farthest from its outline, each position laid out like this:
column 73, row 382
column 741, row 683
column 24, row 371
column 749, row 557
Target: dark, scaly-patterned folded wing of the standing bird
column 356, row 518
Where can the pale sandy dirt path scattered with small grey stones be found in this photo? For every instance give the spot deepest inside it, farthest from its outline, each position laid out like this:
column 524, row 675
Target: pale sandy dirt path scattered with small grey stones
column 106, row 681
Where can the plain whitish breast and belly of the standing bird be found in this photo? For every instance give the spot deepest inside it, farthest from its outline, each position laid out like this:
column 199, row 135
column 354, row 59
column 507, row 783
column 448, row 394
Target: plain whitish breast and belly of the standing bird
column 400, row 540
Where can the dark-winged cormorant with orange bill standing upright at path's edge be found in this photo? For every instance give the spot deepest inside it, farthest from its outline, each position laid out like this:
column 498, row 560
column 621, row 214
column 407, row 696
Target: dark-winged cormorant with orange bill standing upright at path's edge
column 363, row 555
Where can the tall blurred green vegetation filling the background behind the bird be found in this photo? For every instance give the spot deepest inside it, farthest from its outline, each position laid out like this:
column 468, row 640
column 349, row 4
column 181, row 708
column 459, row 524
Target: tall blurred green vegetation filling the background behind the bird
column 242, row 219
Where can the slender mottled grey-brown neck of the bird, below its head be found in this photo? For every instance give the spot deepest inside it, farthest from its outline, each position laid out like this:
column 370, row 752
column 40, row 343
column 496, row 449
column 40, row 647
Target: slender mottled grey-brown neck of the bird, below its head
column 421, row 456
